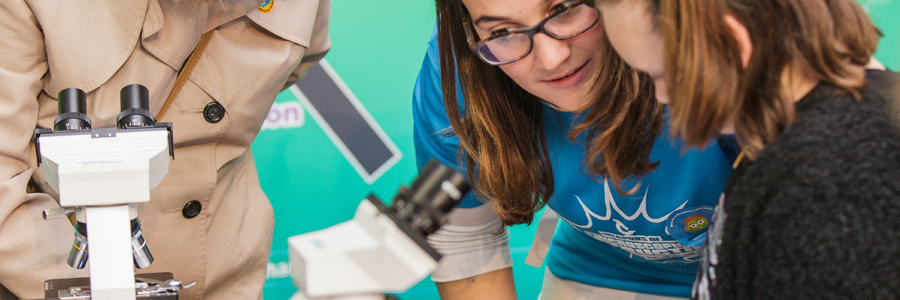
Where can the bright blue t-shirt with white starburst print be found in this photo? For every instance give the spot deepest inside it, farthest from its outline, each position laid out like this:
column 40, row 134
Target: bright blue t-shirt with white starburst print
column 646, row 242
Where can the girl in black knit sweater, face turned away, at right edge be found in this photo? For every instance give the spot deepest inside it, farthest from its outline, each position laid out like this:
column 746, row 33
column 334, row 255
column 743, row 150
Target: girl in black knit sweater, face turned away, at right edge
column 813, row 208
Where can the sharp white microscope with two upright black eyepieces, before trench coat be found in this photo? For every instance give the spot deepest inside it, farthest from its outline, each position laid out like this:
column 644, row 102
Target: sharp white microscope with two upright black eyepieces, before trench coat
column 101, row 174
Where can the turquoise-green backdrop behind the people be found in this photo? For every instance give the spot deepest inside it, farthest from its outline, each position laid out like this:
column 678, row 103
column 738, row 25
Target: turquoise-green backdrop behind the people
column 378, row 47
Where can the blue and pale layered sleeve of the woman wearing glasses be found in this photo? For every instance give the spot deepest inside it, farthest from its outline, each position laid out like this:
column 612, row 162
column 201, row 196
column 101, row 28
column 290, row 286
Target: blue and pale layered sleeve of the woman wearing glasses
column 474, row 241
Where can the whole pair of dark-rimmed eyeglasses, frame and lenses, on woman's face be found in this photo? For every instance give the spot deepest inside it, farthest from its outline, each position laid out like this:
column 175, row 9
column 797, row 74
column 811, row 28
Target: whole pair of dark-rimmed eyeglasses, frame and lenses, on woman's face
column 569, row 19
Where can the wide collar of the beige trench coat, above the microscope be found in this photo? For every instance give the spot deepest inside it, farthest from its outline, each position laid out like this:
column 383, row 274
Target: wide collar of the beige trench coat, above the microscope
column 87, row 43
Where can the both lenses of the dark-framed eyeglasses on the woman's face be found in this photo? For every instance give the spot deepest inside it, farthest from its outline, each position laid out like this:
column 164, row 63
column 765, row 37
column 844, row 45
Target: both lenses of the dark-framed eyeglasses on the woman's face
column 507, row 48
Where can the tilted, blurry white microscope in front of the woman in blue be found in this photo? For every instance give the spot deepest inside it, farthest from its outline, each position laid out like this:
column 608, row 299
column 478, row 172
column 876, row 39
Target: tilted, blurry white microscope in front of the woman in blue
column 382, row 249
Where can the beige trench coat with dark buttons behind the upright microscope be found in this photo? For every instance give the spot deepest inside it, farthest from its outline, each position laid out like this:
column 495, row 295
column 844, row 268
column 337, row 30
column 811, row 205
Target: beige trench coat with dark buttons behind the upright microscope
column 101, row 46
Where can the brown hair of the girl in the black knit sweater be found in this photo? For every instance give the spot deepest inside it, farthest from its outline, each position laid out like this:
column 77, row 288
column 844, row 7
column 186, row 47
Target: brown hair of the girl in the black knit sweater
column 825, row 40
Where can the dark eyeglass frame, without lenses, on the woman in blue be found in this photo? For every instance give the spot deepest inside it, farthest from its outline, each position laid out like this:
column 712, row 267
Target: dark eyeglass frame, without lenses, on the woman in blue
column 530, row 31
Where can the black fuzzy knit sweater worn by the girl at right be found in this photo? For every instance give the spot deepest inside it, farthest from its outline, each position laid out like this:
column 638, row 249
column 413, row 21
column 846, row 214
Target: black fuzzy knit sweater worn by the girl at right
column 817, row 214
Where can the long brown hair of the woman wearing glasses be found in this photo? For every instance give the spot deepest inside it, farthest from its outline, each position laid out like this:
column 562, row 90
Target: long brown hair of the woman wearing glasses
column 501, row 130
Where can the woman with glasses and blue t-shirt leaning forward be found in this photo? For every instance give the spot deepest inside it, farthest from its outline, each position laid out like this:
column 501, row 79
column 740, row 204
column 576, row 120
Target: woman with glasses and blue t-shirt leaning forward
column 528, row 98
